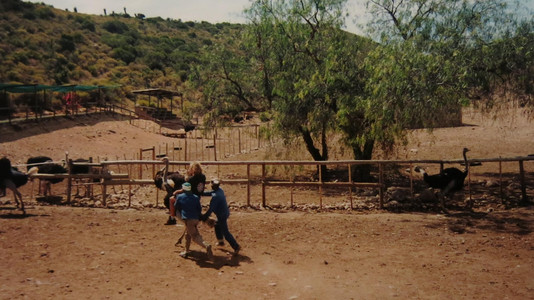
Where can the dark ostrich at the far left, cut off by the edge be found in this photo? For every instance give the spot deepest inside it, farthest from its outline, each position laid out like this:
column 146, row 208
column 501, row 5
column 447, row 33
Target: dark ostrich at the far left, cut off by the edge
column 11, row 178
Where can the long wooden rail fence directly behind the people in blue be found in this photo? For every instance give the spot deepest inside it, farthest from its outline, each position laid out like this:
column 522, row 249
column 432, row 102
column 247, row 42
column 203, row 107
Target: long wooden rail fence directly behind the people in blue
column 263, row 180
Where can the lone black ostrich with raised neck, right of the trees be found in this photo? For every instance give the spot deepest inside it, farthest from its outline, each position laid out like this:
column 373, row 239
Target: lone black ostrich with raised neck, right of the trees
column 448, row 181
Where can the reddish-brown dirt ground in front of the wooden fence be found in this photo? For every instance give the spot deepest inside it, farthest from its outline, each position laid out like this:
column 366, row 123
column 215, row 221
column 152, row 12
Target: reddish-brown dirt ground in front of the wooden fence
column 82, row 253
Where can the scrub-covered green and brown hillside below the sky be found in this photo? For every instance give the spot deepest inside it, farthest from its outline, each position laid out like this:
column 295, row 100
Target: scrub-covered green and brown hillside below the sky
column 41, row 44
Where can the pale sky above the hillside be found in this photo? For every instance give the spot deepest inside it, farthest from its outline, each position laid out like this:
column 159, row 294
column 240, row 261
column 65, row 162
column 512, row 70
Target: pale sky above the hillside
column 212, row 11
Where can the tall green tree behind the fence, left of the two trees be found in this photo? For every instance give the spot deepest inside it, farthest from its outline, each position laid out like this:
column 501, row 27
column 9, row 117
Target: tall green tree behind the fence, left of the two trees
column 299, row 47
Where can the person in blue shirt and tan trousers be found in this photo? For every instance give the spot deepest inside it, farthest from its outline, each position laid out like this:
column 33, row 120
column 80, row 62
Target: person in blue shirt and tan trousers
column 188, row 204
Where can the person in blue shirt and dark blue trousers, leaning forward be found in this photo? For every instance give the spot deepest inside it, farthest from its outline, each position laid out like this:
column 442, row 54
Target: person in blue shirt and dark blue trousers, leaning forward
column 219, row 207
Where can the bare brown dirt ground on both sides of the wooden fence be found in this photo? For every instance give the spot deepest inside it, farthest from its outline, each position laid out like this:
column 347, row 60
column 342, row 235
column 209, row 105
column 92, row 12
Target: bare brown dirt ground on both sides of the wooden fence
column 67, row 252
